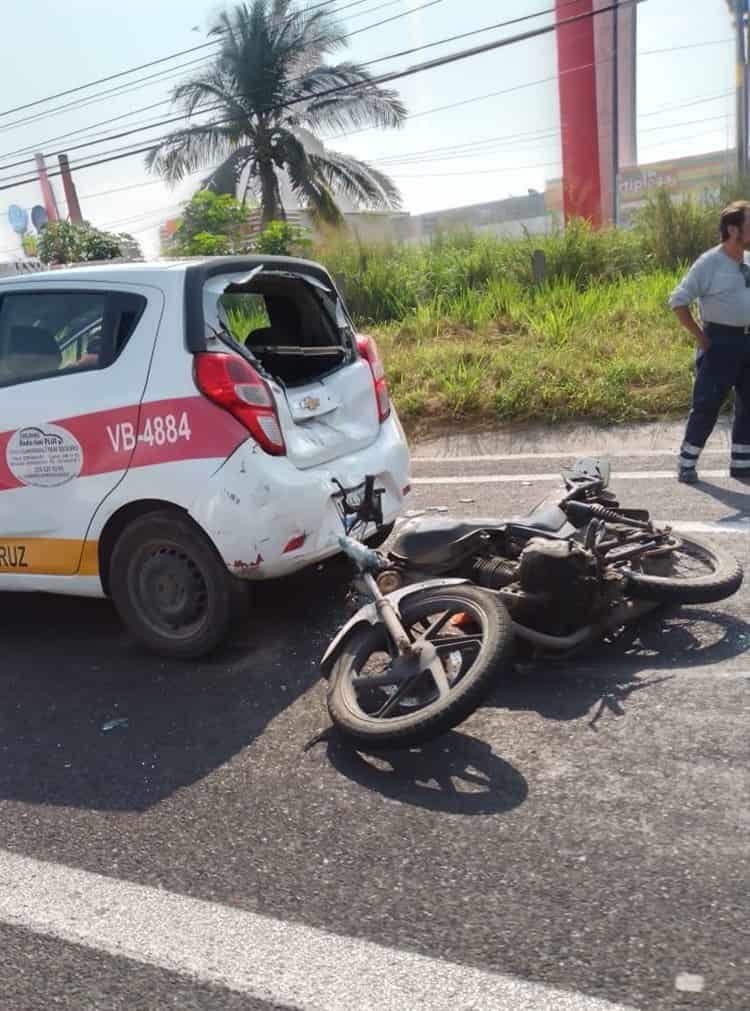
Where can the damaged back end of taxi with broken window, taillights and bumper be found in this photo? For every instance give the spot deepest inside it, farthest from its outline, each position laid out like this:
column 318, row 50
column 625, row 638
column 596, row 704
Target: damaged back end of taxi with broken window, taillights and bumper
column 275, row 347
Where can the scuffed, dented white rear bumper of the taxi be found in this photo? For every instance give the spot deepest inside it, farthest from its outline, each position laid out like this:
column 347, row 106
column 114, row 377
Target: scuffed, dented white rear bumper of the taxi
column 256, row 506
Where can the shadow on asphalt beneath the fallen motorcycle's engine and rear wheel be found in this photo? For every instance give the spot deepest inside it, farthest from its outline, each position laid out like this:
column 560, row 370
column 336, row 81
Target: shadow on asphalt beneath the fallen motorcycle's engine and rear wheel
column 643, row 658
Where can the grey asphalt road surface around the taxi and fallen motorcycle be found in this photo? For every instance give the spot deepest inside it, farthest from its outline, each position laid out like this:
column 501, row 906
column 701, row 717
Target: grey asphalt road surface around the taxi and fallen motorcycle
column 587, row 831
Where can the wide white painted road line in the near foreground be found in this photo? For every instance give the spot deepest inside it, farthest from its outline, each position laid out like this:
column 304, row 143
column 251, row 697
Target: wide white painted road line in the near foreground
column 270, row 960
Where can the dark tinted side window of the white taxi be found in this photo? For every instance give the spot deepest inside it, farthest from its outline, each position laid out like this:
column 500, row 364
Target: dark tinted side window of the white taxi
column 45, row 334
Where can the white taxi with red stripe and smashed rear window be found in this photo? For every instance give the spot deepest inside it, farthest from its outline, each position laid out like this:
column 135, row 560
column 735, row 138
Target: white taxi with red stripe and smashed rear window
column 149, row 455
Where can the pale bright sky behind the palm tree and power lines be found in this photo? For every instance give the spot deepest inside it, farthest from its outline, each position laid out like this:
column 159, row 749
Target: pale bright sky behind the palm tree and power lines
column 685, row 101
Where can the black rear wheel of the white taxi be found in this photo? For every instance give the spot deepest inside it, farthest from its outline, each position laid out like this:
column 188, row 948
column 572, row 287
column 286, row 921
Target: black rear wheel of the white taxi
column 171, row 588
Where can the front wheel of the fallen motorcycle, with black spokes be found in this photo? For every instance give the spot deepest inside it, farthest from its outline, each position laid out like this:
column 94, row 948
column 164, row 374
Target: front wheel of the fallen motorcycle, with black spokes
column 377, row 707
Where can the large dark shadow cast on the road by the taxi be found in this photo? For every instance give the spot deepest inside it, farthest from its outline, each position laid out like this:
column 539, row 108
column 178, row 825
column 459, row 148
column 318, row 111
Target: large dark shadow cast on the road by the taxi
column 69, row 670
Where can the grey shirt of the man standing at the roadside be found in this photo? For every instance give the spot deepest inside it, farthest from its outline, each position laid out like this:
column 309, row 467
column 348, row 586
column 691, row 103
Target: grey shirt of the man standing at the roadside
column 718, row 284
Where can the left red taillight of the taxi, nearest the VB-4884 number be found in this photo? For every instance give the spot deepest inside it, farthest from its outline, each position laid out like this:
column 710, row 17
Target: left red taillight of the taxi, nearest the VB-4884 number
column 234, row 385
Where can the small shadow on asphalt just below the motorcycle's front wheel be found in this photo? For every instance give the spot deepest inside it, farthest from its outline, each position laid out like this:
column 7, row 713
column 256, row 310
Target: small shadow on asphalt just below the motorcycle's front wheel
column 454, row 775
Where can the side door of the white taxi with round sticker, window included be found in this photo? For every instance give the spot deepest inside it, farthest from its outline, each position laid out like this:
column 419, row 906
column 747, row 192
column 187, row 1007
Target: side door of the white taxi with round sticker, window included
column 74, row 363
